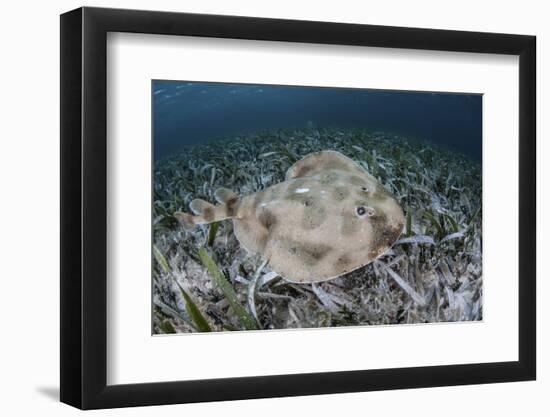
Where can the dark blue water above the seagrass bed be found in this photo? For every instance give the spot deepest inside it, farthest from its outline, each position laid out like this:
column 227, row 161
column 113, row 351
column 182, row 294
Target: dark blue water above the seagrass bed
column 187, row 113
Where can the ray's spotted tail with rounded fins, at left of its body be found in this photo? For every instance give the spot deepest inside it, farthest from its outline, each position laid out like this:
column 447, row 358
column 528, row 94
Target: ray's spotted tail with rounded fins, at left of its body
column 205, row 212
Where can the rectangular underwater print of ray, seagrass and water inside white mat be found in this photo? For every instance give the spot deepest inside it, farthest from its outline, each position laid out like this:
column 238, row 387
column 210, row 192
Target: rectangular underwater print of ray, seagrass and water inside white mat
column 282, row 207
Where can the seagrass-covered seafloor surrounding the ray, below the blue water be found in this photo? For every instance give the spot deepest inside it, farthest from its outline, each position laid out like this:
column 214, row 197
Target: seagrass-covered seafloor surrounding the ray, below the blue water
column 432, row 274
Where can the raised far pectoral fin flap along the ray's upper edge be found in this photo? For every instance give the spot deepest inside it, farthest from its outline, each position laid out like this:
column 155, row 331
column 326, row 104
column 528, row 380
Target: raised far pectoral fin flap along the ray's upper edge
column 322, row 161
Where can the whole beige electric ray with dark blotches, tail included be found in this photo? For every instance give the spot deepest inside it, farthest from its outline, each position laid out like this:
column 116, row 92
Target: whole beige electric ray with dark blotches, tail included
column 328, row 217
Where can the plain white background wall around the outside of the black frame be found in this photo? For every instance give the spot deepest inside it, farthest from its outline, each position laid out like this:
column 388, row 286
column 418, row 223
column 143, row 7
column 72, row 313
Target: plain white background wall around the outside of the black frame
column 29, row 176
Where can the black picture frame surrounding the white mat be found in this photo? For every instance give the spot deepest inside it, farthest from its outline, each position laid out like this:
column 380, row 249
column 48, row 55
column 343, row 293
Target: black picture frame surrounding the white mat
column 84, row 207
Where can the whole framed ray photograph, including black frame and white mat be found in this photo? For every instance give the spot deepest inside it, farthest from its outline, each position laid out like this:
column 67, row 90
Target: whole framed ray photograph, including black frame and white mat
column 257, row 207
